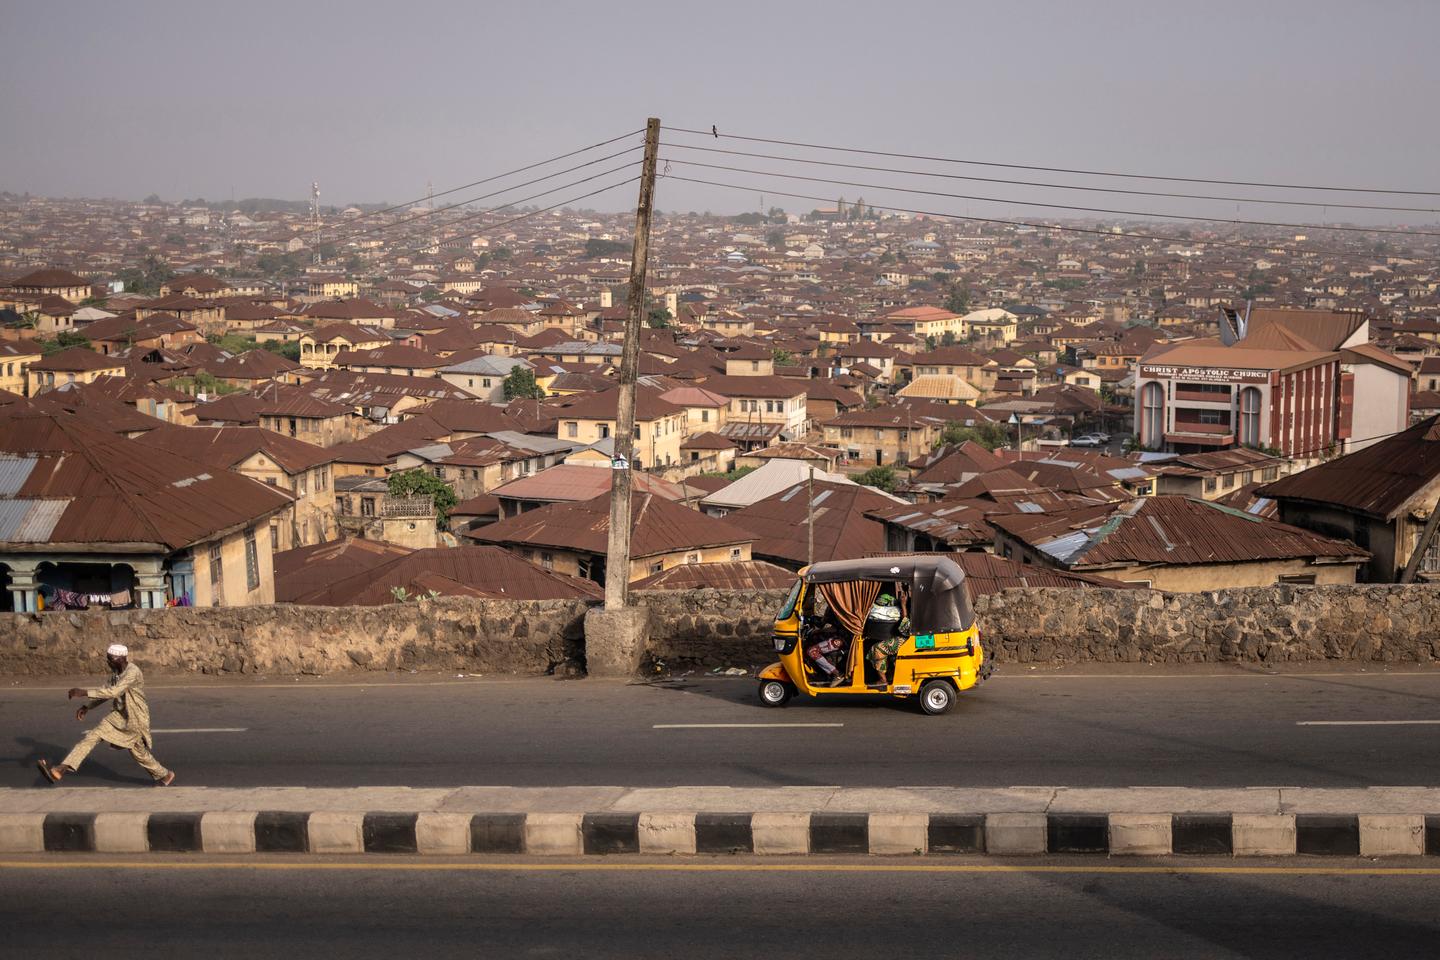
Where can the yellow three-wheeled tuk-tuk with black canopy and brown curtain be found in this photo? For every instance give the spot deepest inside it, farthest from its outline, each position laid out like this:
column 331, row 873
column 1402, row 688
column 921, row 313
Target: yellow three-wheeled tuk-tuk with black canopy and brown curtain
column 899, row 627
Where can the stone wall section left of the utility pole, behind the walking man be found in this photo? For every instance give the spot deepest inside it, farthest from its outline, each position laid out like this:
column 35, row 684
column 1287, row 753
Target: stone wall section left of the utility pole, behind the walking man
column 466, row 635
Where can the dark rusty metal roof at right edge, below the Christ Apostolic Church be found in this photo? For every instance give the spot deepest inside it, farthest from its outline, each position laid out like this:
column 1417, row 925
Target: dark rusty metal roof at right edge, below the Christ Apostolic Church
column 1382, row 481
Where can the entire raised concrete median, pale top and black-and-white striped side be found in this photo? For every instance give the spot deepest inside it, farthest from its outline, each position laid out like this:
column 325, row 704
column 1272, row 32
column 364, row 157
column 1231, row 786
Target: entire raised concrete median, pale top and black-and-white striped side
column 798, row 821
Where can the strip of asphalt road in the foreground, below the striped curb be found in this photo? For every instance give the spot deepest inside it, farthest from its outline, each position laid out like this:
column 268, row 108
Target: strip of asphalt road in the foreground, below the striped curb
column 801, row 909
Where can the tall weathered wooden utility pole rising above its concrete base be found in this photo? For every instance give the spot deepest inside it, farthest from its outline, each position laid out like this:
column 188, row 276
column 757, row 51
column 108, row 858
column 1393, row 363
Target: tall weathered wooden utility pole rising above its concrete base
column 617, row 552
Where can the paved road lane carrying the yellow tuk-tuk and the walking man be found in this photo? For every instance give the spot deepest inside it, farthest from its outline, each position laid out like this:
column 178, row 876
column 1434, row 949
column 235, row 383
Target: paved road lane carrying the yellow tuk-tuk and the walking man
column 1071, row 730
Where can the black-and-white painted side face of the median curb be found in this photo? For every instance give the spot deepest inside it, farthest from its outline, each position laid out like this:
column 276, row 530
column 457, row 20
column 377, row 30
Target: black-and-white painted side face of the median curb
column 760, row 833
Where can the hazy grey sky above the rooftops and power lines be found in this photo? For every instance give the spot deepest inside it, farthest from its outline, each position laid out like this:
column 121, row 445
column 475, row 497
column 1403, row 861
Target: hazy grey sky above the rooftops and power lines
column 374, row 100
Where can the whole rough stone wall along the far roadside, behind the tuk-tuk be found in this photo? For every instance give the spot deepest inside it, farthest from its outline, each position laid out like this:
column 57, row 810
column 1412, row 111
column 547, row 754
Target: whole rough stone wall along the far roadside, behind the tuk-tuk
column 705, row 630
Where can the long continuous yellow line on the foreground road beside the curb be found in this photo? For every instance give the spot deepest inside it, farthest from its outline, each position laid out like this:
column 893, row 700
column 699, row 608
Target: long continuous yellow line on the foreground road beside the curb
column 722, row 869
